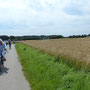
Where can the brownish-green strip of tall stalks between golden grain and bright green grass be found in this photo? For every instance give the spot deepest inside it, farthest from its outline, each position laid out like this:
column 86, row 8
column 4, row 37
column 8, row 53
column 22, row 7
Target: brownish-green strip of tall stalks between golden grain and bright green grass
column 70, row 61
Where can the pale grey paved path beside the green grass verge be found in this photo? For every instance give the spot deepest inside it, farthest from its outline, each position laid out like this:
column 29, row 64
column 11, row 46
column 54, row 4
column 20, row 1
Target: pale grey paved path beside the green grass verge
column 12, row 77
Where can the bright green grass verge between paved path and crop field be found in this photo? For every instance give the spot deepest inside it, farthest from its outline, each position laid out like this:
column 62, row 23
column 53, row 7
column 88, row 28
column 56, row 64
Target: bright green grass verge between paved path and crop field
column 44, row 72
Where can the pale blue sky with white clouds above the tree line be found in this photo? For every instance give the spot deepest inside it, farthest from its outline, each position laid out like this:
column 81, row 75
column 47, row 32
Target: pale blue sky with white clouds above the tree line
column 44, row 17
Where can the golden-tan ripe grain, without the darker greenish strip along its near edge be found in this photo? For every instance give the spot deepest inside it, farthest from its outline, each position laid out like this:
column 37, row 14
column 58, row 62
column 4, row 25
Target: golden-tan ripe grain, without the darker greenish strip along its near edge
column 78, row 48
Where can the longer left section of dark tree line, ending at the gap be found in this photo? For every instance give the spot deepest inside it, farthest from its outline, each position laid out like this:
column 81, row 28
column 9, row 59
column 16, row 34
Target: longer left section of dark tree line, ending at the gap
column 41, row 37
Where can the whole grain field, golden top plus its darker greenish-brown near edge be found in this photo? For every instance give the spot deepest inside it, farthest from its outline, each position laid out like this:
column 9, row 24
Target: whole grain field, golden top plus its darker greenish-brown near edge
column 74, row 52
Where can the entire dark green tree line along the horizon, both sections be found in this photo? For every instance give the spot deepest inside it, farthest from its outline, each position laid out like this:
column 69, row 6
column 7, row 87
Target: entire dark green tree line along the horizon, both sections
column 41, row 37
